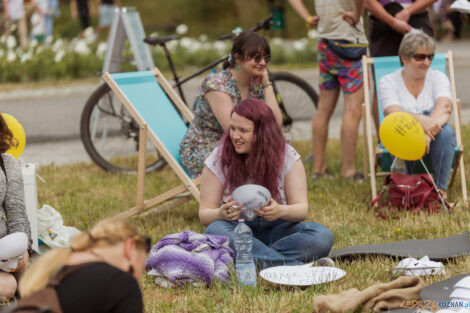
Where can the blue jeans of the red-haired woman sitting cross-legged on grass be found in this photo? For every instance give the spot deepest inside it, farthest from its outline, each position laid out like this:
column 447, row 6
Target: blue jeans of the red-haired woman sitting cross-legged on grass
column 280, row 242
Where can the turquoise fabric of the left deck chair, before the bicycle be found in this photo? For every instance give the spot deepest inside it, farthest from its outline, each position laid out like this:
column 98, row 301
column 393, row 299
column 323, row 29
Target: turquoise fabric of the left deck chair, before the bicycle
column 149, row 99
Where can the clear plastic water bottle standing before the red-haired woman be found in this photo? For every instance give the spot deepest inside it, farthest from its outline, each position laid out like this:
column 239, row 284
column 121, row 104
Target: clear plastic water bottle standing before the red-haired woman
column 244, row 263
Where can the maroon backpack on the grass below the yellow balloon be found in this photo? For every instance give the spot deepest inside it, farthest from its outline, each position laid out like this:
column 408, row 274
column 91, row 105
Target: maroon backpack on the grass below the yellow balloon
column 409, row 192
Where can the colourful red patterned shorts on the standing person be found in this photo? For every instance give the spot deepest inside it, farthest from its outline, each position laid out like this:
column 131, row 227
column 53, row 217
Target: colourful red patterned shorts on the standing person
column 336, row 71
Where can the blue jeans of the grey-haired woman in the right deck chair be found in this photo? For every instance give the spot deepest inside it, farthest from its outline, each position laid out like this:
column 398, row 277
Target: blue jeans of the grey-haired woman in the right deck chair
column 441, row 153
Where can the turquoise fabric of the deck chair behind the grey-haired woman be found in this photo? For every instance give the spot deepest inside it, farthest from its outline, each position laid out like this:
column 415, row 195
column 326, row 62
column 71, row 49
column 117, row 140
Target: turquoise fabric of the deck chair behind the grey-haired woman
column 386, row 65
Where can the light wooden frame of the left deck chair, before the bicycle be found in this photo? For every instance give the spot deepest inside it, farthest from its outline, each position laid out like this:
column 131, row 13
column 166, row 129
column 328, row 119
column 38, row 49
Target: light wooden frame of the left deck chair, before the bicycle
column 175, row 195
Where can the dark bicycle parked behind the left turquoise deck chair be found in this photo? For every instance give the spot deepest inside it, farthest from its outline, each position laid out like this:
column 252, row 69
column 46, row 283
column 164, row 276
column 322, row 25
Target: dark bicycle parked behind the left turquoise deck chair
column 111, row 136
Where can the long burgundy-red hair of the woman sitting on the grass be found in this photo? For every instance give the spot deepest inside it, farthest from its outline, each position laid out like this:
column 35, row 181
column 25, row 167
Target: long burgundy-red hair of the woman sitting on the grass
column 263, row 164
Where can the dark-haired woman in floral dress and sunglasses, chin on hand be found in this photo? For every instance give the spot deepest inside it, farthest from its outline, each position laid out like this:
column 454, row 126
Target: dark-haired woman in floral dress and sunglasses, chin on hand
column 244, row 76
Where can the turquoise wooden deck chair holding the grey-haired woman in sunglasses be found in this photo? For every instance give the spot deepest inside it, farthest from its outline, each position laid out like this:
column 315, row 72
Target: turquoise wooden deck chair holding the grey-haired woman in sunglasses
column 386, row 65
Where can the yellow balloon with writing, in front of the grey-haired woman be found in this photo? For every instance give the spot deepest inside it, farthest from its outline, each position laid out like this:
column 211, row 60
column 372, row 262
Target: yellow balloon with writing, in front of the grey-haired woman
column 403, row 136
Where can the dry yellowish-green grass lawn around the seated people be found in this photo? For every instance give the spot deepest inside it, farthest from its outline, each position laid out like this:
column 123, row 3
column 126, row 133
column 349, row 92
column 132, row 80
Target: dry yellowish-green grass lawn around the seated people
column 84, row 194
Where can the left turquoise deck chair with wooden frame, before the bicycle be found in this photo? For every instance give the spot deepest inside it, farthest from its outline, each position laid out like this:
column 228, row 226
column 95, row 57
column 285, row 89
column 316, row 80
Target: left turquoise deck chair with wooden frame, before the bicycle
column 151, row 101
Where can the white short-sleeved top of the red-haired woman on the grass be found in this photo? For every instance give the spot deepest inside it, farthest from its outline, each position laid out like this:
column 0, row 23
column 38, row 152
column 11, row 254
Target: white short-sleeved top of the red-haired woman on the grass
column 290, row 157
